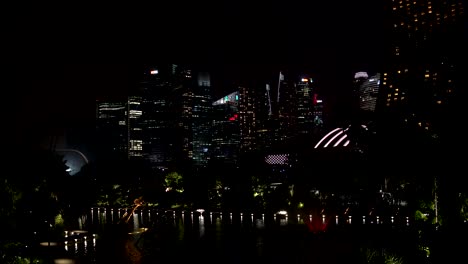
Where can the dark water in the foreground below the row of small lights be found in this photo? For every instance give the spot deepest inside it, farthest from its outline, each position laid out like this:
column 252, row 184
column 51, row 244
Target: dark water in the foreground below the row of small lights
column 214, row 237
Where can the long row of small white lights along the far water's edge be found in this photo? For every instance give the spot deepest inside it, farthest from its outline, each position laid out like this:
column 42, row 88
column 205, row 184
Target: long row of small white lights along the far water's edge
column 146, row 217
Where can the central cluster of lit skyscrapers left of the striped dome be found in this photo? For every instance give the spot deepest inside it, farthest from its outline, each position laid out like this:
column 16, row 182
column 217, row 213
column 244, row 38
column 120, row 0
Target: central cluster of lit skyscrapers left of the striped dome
column 173, row 119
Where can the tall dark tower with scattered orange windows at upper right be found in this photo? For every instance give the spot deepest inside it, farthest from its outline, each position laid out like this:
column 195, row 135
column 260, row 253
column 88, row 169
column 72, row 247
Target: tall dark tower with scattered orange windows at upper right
column 424, row 59
